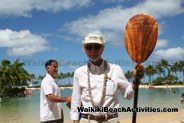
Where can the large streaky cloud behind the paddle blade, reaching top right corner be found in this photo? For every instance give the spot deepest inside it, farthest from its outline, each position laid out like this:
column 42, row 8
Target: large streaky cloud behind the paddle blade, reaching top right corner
column 113, row 20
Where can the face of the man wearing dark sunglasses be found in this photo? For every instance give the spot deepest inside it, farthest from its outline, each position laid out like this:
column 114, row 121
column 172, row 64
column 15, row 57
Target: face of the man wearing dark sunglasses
column 93, row 51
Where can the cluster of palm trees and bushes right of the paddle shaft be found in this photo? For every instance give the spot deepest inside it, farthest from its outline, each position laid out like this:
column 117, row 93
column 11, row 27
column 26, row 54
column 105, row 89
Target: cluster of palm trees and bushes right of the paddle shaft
column 166, row 72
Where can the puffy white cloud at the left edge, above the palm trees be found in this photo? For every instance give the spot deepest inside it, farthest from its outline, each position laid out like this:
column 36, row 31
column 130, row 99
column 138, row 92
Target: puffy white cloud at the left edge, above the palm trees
column 22, row 43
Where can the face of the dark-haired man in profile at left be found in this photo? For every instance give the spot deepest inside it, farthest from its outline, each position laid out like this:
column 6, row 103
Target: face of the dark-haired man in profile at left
column 53, row 69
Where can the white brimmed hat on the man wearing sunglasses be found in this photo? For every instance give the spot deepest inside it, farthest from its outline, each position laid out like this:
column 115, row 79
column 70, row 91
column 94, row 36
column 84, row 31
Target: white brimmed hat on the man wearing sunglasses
column 93, row 38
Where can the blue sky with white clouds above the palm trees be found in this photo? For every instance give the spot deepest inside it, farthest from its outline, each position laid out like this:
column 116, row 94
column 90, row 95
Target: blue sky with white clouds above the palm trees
column 35, row 31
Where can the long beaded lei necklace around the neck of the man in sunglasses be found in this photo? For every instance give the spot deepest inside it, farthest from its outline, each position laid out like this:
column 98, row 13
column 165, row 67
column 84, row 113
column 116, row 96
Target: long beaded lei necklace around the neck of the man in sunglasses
column 99, row 104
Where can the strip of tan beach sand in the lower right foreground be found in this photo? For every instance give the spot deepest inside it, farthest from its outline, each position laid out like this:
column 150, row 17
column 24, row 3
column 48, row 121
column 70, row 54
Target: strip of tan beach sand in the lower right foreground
column 169, row 117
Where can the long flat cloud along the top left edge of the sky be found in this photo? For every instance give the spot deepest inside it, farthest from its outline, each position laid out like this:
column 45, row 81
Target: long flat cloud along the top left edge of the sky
column 24, row 7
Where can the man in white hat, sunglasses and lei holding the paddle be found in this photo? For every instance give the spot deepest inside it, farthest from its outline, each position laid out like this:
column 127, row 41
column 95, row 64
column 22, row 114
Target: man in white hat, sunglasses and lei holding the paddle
column 96, row 84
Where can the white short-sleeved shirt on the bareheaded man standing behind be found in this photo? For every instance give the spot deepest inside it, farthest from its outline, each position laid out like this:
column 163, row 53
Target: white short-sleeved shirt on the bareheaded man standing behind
column 49, row 110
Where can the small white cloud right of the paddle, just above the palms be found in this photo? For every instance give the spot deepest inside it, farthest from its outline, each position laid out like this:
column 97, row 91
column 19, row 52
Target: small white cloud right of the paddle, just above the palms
column 170, row 54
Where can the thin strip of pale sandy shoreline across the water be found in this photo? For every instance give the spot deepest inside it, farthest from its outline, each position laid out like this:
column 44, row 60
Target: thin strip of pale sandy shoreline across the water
column 140, row 86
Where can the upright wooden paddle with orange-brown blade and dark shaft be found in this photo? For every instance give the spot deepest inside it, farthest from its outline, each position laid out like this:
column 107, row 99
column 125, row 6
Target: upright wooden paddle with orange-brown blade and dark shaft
column 140, row 38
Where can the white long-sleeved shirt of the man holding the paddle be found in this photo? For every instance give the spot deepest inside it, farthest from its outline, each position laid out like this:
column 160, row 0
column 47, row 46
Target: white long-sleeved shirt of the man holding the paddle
column 116, row 82
